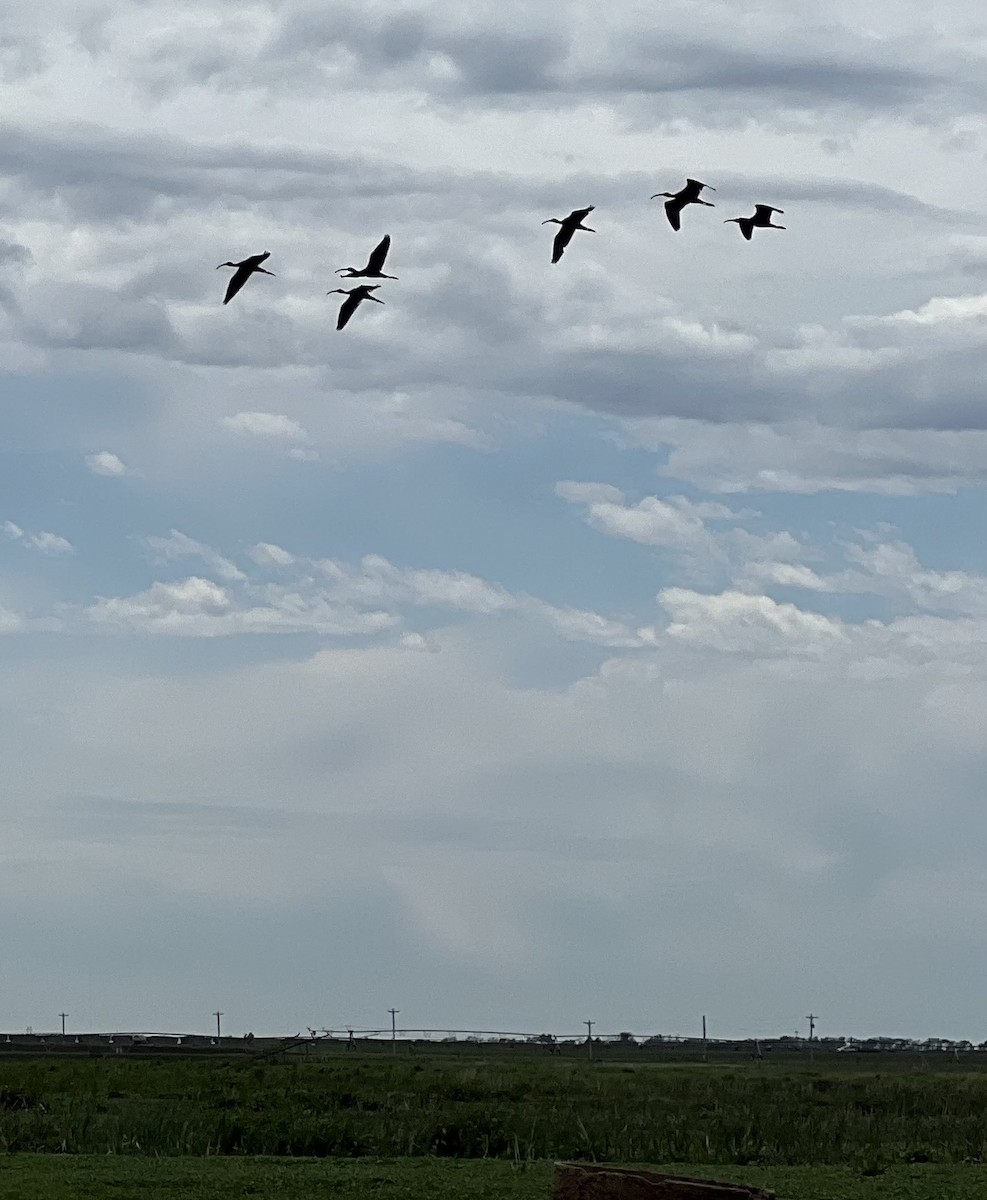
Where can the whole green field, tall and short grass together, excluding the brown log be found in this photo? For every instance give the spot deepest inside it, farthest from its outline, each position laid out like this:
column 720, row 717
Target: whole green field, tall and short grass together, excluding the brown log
column 373, row 1126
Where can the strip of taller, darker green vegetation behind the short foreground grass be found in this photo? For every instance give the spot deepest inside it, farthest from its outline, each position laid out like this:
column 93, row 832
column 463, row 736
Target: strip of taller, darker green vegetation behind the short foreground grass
column 525, row 1112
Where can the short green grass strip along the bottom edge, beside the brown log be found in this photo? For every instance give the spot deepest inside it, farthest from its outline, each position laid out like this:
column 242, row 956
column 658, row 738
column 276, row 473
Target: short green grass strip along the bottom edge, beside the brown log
column 98, row 1178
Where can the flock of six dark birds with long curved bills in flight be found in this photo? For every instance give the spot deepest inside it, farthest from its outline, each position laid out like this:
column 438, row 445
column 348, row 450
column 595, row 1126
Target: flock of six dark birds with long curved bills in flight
column 567, row 226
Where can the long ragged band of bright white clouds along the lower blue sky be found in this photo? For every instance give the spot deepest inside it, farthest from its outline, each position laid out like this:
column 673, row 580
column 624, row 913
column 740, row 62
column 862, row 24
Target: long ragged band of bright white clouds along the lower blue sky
column 339, row 599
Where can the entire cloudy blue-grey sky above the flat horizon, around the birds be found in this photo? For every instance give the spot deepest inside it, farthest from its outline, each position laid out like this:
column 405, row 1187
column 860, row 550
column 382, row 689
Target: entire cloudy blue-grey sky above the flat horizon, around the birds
column 605, row 640
